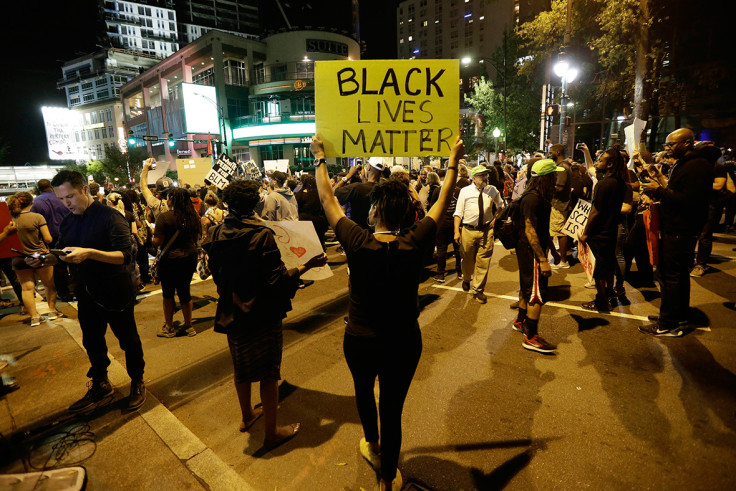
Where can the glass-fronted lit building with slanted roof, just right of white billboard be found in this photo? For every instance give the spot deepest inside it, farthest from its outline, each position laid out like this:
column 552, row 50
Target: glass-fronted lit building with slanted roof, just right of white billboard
column 92, row 87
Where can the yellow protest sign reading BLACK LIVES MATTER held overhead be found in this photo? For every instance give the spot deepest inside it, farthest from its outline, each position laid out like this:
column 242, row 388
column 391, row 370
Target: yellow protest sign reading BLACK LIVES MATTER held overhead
column 404, row 108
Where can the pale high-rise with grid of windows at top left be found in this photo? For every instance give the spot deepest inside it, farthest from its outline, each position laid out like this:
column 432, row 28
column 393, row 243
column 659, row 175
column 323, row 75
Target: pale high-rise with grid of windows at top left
column 145, row 26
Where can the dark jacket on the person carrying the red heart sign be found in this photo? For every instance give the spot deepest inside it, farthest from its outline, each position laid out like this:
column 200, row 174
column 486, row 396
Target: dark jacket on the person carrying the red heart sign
column 252, row 281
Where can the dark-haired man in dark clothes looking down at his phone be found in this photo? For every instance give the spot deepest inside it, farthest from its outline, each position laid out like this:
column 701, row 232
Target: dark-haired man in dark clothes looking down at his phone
column 96, row 240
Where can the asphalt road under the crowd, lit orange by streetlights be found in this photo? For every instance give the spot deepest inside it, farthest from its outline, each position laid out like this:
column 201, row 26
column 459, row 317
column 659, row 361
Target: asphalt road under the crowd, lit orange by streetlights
column 613, row 409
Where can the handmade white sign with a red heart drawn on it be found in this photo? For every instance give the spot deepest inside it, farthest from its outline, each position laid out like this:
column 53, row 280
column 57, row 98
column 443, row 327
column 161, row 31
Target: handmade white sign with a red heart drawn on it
column 298, row 242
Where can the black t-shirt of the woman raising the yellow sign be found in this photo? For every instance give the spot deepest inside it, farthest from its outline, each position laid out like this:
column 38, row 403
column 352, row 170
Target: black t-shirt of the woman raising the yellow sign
column 377, row 268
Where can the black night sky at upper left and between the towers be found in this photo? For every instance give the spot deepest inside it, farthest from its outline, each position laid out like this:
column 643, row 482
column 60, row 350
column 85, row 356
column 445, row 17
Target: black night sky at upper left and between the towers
column 58, row 31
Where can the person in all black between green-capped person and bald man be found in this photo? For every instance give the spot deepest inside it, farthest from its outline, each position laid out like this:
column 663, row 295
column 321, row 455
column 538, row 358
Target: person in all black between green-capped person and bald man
column 602, row 229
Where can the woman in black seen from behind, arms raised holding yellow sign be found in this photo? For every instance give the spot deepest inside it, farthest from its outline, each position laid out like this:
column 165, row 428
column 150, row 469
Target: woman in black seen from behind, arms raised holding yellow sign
column 378, row 343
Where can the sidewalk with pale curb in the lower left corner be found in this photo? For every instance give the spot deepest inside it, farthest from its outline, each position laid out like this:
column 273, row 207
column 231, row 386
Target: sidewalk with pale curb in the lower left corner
column 148, row 448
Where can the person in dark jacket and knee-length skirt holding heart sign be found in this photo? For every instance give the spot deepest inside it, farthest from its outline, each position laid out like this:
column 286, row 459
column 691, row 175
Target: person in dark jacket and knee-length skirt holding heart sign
column 254, row 289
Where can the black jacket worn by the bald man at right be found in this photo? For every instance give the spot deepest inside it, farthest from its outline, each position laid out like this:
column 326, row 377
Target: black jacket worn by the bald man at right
column 684, row 202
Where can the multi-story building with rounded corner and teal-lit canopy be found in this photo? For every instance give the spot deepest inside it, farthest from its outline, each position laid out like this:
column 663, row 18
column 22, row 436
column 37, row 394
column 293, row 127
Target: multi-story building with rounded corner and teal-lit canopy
column 263, row 93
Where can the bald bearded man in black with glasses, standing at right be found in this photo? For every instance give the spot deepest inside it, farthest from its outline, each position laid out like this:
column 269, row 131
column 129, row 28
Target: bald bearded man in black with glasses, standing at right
column 683, row 212
